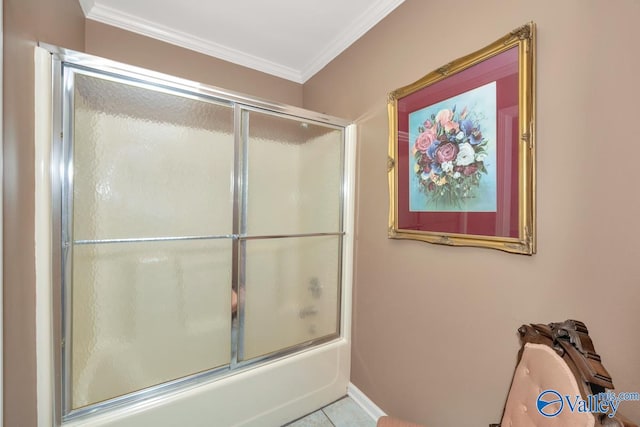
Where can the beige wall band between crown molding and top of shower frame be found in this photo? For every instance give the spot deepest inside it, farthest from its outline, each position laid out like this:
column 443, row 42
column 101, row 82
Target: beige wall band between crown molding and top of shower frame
column 130, row 48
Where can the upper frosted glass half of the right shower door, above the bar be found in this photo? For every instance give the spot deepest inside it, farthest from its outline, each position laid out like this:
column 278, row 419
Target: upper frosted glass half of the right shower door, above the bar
column 294, row 177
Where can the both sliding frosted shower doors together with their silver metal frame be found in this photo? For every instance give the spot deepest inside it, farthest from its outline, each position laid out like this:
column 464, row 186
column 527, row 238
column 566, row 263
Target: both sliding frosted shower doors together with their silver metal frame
column 175, row 204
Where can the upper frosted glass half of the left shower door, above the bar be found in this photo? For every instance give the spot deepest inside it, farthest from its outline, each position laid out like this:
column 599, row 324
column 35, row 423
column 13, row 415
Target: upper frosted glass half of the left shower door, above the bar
column 149, row 164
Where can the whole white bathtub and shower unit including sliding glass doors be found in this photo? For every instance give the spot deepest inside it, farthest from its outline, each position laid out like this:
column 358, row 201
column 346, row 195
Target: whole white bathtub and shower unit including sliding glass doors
column 169, row 193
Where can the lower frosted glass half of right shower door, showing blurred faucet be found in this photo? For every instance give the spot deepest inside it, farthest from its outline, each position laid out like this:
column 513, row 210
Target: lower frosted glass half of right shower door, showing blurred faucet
column 291, row 292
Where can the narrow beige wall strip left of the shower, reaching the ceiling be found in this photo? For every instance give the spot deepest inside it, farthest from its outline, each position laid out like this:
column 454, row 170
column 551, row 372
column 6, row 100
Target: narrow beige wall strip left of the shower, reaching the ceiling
column 25, row 22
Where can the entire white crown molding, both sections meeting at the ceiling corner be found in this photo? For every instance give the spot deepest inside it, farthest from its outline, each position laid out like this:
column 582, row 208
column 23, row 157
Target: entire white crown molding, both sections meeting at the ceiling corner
column 98, row 12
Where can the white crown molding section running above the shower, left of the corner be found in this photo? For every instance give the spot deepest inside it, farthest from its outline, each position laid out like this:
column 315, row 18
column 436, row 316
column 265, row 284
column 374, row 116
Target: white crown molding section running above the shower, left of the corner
column 138, row 25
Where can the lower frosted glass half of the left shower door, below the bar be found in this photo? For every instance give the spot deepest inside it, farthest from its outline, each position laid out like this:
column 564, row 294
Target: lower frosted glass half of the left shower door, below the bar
column 147, row 313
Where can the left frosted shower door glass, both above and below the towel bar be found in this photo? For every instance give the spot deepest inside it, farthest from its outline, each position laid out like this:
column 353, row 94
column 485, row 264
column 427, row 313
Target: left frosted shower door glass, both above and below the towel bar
column 150, row 247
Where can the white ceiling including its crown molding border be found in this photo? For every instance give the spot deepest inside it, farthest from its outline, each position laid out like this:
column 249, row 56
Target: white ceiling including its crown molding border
column 292, row 39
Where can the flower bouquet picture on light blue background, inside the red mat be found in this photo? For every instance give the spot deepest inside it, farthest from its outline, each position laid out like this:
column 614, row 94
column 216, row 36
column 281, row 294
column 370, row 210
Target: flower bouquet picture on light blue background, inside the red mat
column 452, row 154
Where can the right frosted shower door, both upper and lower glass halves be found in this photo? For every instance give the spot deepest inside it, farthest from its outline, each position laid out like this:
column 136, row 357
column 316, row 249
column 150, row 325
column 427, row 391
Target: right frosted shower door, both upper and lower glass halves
column 291, row 235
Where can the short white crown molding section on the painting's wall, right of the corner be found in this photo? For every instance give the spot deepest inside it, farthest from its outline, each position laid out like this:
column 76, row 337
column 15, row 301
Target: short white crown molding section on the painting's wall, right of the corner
column 357, row 29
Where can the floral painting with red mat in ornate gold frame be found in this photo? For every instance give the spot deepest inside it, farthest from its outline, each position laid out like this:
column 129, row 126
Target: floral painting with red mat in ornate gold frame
column 462, row 150
